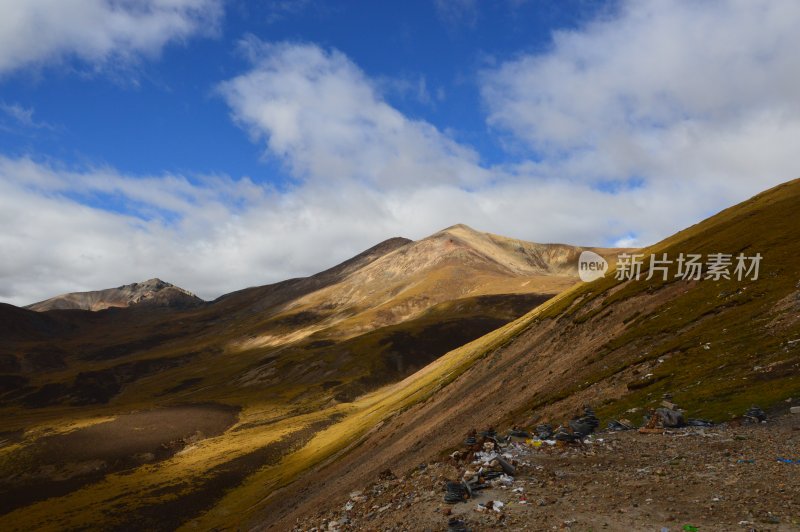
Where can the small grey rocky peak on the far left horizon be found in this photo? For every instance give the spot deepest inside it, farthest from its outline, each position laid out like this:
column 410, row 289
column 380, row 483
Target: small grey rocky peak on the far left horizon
column 154, row 292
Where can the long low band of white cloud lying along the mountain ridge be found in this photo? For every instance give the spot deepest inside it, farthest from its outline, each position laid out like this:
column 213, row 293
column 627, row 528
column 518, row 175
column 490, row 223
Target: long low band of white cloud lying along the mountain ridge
column 213, row 235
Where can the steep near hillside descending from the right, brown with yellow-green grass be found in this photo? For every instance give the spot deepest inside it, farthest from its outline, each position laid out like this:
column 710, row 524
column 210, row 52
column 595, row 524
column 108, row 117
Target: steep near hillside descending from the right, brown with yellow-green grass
column 717, row 346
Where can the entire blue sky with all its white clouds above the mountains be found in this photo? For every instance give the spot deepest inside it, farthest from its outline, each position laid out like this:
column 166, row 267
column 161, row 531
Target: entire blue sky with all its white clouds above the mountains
column 220, row 144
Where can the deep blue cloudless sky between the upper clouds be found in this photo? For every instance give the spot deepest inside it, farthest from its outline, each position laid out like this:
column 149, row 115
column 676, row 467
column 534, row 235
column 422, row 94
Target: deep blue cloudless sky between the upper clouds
column 163, row 115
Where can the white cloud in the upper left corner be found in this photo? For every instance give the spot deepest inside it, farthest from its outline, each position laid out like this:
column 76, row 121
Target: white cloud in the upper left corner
column 35, row 32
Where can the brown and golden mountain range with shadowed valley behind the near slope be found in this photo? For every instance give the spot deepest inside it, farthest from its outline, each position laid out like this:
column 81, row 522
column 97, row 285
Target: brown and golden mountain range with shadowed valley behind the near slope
column 159, row 411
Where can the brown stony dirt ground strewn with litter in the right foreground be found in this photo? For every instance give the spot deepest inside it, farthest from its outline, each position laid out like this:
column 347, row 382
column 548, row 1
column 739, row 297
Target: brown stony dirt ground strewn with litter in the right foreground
column 725, row 477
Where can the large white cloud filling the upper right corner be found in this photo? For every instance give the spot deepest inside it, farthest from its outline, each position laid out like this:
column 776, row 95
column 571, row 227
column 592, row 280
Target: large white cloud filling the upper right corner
column 697, row 94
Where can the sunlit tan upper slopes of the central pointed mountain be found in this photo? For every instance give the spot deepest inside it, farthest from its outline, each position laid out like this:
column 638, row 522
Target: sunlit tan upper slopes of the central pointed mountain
column 454, row 263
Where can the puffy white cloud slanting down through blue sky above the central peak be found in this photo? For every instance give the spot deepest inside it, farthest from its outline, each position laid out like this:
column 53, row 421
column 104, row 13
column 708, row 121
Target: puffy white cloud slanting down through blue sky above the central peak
column 319, row 113
